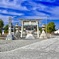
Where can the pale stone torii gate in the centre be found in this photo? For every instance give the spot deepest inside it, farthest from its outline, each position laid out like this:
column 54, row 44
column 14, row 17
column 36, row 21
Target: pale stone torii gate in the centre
column 34, row 22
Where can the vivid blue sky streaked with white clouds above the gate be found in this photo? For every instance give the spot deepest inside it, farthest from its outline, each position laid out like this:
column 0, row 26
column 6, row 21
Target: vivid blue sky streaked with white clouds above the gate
column 33, row 8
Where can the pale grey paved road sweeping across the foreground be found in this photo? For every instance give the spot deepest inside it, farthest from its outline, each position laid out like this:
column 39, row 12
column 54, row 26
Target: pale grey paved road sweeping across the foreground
column 46, row 49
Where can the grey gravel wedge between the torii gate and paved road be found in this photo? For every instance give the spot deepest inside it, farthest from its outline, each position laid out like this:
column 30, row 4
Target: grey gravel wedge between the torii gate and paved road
column 7, row 45
